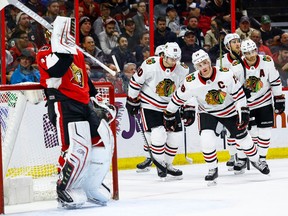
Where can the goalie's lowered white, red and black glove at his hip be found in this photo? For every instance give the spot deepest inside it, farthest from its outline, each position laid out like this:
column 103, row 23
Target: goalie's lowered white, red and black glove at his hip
column 103, row 109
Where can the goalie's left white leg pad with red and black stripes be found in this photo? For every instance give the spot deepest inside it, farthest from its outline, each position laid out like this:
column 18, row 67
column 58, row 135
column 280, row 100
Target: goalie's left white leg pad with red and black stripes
column 77, row 156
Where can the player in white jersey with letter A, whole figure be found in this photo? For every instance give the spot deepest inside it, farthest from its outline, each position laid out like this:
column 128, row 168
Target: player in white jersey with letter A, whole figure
column 261, row 78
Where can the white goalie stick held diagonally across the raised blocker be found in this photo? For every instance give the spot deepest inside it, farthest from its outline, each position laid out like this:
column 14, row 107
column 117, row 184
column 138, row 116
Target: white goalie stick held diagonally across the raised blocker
column 48, row 26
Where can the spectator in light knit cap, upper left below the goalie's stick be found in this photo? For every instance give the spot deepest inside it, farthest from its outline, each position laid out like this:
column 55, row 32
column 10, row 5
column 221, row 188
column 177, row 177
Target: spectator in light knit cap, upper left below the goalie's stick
column 35, row 31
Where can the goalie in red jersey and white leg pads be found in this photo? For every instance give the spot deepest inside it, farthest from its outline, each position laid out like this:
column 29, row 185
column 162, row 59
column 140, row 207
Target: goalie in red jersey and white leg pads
column 82, row 124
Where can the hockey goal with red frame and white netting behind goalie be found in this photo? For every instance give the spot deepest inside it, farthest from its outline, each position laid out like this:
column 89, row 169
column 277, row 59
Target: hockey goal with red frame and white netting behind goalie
column 29, row 145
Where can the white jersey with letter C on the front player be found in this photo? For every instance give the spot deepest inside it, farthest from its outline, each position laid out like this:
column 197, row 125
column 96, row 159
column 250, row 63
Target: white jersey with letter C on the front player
column 221, row 96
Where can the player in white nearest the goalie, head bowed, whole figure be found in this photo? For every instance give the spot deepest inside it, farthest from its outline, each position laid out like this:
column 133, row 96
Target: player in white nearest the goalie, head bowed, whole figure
column 150, row 89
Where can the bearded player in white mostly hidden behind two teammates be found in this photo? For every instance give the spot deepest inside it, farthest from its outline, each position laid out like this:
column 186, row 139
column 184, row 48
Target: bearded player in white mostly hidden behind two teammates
column 232, row 43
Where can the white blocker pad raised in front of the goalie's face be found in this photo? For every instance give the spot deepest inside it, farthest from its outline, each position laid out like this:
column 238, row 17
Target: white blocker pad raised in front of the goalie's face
column 63, row 35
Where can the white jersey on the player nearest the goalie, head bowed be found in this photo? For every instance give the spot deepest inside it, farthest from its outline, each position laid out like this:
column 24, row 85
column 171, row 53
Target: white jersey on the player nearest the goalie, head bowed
column 156, row 84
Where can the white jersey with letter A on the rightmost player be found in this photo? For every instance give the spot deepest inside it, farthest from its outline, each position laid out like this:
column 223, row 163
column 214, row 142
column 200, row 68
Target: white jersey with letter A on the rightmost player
column 262, row 78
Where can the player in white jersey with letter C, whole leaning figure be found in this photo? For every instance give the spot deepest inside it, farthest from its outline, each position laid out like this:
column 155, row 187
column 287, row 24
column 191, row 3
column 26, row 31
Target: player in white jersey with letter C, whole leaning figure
column 221, row 99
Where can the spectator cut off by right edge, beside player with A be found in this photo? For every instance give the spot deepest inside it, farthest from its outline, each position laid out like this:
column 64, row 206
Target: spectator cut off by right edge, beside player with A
column 281, row 64
